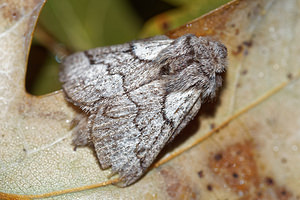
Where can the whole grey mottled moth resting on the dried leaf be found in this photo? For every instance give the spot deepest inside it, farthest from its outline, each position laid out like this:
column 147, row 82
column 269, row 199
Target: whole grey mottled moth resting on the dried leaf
column 136, row 97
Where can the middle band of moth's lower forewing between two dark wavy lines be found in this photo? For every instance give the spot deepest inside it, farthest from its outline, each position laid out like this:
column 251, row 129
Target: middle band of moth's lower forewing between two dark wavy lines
column 150, row 121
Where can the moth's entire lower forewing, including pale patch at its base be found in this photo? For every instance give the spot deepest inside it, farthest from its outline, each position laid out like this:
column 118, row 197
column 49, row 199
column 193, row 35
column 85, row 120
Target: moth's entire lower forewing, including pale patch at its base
column 128, row 142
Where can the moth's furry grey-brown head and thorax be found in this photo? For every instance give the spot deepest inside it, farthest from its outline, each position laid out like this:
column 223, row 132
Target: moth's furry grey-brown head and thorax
column 192, row 61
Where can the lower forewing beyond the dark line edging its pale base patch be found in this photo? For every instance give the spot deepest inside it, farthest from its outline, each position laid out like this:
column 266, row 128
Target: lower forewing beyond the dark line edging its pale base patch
column 126, row 128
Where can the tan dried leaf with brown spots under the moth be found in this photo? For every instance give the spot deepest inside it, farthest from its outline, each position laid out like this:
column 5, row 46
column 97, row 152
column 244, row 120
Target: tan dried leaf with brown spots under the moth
column 244, row 146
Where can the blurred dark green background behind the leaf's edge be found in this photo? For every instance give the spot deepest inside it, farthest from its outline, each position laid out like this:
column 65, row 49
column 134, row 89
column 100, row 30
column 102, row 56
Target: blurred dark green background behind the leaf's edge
column 67, row 26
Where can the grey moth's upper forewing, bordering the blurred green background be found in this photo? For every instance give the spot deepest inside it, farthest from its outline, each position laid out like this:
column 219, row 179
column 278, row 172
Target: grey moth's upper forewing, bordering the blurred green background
column 133, row 61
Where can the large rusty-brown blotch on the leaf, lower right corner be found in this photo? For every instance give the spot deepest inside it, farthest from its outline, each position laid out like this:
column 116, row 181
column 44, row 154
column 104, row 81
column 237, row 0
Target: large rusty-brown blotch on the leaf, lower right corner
column 237, row 167
